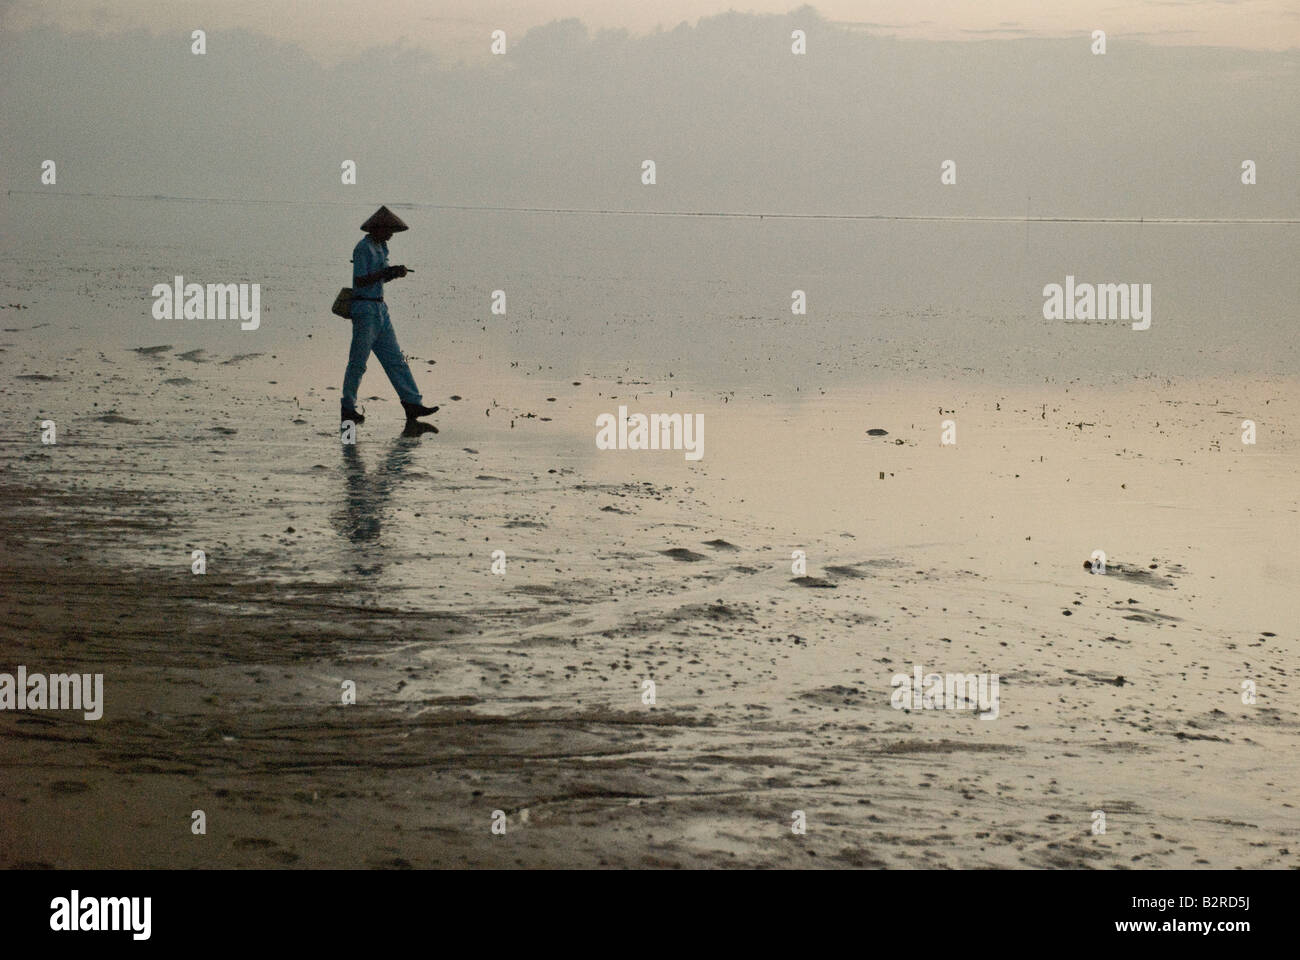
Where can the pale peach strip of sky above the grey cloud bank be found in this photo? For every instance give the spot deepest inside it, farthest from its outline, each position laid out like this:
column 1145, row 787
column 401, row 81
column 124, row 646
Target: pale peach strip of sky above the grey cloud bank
column 331, row 31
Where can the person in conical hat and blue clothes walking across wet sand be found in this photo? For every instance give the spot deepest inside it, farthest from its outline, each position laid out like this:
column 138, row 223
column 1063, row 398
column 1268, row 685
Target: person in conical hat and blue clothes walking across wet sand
column 371, row 326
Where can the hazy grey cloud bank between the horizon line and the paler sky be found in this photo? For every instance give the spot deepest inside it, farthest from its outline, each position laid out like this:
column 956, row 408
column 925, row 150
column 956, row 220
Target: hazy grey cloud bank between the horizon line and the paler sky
column 731, row 118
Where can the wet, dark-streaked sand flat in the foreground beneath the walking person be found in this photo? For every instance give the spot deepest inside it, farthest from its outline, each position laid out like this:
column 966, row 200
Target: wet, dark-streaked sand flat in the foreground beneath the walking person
column 523, row 693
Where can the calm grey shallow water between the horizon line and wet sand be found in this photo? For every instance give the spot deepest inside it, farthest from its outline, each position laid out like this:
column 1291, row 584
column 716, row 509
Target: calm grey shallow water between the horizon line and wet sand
column 704, row 301
